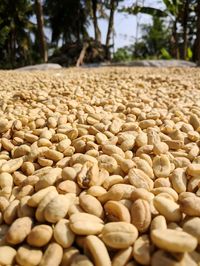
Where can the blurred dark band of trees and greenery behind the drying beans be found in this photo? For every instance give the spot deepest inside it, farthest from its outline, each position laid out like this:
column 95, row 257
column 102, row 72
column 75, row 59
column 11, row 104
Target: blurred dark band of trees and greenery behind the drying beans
column 173, row 34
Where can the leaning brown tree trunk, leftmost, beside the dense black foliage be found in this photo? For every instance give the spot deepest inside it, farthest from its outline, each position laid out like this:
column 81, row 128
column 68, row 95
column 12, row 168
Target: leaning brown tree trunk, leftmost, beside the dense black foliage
column 40, row 25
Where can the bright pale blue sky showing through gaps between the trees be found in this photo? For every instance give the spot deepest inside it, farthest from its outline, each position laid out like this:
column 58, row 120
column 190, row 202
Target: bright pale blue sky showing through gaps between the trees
column 125, row 25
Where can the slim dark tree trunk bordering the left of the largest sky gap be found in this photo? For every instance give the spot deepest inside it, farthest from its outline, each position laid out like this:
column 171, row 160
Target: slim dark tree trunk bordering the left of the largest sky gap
column 110, row 28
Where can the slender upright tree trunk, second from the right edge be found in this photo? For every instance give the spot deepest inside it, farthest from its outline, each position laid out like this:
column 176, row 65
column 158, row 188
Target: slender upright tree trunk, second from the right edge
column 184, row 24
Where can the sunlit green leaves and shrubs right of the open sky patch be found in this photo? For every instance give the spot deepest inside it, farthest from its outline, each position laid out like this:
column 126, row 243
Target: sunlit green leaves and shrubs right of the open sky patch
column 182, row 27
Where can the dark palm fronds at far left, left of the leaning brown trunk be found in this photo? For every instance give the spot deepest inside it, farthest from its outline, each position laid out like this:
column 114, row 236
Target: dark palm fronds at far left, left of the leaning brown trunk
column 15, row 29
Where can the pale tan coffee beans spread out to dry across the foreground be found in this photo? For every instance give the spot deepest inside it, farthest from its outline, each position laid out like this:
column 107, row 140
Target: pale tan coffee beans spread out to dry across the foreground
column 100, row 167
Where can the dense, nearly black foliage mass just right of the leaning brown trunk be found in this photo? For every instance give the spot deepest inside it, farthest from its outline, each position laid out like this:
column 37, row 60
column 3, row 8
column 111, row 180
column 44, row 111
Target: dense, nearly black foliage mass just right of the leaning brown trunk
column 68, row 19
